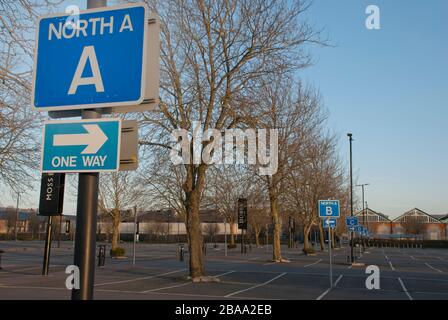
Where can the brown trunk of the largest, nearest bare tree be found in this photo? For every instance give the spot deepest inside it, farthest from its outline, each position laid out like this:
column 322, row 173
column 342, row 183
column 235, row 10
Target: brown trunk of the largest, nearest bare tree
column 194, row 234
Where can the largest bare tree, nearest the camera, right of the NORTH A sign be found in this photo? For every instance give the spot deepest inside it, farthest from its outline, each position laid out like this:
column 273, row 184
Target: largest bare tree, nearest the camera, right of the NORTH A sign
column 213, row 55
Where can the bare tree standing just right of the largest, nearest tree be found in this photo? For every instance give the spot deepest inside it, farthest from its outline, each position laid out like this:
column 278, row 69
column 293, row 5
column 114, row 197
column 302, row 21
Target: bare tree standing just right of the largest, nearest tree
column 297, row 115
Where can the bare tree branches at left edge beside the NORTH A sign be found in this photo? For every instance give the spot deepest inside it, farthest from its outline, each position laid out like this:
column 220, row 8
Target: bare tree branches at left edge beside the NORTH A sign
column 19, row 146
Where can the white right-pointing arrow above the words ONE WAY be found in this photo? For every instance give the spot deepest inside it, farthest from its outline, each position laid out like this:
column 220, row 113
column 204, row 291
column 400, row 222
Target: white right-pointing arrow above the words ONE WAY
column 94, row 139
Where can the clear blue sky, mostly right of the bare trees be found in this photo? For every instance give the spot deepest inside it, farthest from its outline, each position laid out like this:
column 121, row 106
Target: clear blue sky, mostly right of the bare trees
column 389, row 88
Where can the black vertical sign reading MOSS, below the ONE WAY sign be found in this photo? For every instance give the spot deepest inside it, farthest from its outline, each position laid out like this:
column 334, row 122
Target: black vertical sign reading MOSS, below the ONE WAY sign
column 52, row 194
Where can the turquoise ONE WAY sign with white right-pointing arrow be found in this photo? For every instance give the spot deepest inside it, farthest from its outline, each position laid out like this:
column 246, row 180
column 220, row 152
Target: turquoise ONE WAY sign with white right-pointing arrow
column 81, row 145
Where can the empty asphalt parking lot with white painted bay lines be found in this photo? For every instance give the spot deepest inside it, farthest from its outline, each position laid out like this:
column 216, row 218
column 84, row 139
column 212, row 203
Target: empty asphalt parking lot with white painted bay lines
column 405, row 274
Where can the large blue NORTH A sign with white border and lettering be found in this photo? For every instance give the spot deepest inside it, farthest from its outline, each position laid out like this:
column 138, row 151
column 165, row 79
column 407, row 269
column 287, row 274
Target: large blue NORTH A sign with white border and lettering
column 96, row 61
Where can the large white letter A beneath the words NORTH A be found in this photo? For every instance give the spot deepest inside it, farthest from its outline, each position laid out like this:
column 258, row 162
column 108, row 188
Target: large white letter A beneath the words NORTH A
column 95, row 79
